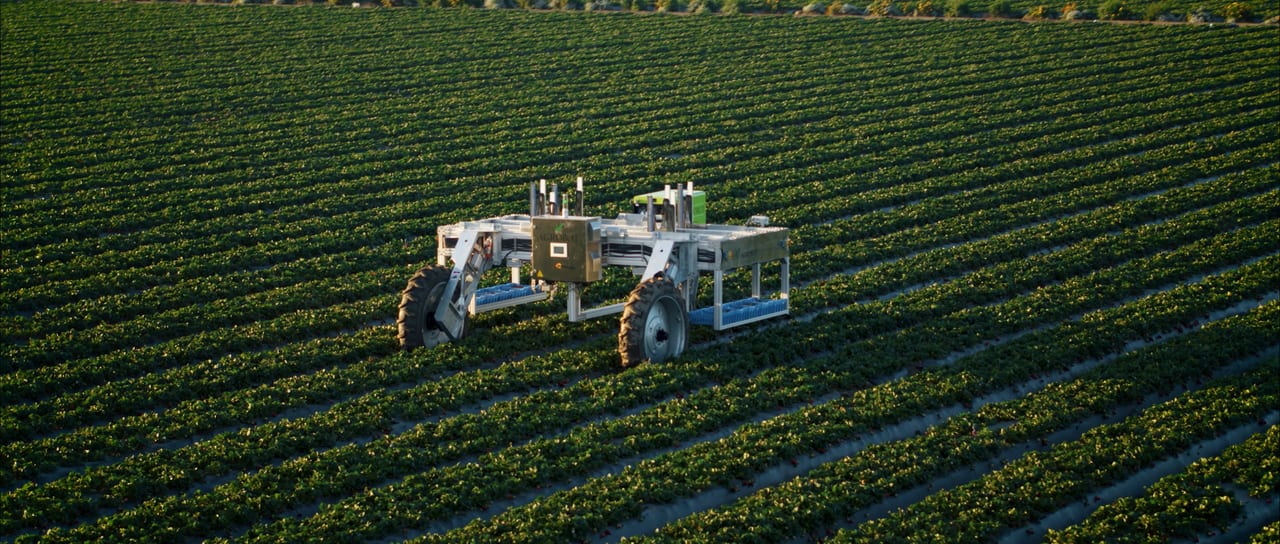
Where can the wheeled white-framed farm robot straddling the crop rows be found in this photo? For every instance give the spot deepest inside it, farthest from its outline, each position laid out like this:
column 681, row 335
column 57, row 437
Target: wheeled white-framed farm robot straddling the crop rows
column 666, row 241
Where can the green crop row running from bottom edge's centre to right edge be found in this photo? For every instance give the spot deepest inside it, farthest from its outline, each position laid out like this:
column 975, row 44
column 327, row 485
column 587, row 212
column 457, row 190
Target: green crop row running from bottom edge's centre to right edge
column 840, row 490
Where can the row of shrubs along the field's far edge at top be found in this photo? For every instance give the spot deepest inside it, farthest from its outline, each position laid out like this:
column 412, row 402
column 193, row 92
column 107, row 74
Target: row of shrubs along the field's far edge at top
column 1108, row 11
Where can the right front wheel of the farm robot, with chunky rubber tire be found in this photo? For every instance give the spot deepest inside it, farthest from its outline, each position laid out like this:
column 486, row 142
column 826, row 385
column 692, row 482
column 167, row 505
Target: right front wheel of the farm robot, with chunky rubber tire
column 655, row 323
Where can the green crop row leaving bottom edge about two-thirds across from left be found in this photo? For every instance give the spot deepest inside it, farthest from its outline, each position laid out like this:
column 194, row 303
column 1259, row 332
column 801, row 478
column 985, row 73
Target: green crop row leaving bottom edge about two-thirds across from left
column 1040, row 483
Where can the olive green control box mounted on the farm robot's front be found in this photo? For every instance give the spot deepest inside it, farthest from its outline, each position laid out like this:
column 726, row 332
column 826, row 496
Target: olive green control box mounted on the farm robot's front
column 568, row 249
